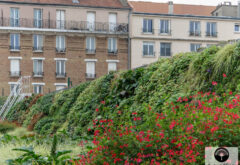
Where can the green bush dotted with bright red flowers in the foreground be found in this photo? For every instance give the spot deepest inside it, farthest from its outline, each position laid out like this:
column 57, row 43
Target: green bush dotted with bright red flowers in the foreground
column 177, row 134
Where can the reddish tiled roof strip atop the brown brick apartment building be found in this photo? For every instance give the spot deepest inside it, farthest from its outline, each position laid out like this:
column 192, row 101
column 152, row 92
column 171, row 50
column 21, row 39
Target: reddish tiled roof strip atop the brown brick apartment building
column 91, row 3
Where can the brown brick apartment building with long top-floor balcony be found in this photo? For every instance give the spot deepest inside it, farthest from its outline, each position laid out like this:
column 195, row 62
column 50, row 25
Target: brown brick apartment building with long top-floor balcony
column 57, row 42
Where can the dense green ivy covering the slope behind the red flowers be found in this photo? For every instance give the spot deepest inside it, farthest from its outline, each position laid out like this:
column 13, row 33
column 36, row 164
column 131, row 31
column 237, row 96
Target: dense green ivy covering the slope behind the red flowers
column 165, row 80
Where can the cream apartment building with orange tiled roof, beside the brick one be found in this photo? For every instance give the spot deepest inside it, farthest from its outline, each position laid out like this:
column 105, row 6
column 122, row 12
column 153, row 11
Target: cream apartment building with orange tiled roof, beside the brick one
column 161, row 30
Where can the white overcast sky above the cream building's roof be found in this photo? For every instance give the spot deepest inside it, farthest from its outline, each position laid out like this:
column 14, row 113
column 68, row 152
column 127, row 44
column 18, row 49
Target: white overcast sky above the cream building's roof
column 198, row 2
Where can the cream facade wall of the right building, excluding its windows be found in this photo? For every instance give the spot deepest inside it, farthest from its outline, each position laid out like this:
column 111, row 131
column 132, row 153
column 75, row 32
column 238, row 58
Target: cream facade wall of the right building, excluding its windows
column 179, row 38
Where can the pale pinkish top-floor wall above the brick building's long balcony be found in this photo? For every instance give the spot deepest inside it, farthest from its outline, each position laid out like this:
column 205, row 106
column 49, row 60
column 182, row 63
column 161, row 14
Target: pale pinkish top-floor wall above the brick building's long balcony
column 71, row 13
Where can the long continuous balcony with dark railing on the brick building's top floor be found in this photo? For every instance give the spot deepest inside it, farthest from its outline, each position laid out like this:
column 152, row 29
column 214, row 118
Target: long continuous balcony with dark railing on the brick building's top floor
column 65, row 25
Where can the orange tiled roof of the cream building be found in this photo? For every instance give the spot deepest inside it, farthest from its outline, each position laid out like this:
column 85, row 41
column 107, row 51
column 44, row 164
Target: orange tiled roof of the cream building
column 179, row 9
